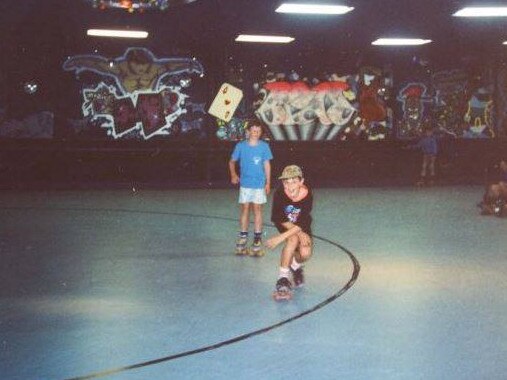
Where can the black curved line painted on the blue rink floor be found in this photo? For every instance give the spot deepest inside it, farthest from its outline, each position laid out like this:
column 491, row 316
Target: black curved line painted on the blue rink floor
column 348, row 285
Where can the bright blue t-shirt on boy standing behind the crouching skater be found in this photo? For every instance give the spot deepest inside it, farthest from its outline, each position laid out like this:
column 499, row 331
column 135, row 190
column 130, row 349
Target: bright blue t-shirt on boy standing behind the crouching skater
column 251, row 163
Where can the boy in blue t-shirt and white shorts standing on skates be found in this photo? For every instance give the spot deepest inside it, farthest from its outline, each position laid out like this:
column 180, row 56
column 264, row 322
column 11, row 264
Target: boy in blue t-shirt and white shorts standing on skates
column 254, row 157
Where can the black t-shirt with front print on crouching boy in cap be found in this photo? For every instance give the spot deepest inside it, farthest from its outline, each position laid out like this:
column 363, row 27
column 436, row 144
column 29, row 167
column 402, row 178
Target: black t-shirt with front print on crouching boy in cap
column 286, row 210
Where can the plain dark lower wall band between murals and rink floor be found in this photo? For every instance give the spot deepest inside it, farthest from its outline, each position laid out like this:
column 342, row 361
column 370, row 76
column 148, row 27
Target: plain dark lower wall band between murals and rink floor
column 58, row 164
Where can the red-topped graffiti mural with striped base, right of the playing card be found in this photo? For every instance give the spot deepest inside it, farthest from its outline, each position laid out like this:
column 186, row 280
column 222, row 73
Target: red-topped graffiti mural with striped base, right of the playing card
column 336, row 108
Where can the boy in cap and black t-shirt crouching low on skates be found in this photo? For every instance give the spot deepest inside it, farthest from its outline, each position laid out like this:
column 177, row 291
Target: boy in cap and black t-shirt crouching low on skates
column 291, row 214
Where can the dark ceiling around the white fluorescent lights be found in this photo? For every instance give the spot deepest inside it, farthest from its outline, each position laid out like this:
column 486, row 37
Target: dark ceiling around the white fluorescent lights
column 208, row 27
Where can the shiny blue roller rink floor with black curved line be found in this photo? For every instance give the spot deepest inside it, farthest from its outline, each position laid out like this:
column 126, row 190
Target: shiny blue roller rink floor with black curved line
column 405, row 283
